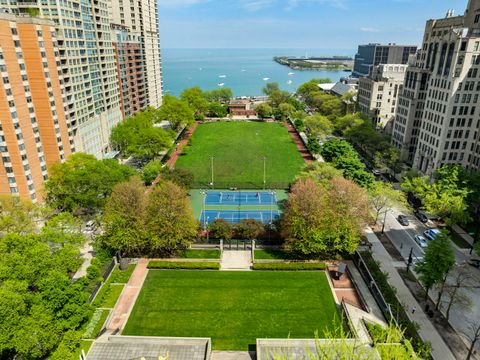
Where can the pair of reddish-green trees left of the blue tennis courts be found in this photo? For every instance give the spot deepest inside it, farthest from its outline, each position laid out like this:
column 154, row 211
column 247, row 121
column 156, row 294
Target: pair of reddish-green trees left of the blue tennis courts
column 156, row 223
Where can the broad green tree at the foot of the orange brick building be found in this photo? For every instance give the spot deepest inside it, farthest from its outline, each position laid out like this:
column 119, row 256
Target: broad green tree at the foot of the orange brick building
column 83, row 183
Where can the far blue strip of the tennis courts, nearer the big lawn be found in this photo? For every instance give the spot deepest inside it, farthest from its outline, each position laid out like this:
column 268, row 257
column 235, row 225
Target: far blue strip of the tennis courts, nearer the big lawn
column 241, row 198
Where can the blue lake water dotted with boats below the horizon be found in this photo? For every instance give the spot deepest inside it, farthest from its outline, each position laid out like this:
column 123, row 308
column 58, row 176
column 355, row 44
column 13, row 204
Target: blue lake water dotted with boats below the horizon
column 243, row 70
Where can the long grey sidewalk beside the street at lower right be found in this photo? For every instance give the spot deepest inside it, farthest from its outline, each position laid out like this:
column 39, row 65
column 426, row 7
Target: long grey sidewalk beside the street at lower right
column 427, row 331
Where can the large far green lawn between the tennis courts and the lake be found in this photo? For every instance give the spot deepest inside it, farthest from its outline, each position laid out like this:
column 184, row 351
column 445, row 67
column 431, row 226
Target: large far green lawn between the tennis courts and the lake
column 238, row 149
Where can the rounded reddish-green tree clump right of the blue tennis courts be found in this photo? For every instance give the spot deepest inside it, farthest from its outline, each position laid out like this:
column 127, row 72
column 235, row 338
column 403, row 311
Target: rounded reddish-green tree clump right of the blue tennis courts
column 324, row 219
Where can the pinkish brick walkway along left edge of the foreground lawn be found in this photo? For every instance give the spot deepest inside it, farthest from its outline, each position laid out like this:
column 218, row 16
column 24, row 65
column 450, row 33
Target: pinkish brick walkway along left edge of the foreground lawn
column 129, row 295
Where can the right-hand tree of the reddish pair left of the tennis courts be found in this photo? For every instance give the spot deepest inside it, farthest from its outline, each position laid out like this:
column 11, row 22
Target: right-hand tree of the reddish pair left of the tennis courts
column 169, row 219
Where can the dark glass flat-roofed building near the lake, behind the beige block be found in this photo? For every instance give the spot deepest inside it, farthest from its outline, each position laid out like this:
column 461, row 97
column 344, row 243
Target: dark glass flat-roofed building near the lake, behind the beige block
column 376, row 54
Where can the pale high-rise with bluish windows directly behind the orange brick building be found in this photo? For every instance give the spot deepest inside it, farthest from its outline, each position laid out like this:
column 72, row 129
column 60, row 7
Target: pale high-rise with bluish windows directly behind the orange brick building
column 92, row 103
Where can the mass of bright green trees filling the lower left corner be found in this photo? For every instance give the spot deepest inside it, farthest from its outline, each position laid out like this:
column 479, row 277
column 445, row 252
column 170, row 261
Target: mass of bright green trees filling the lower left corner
column 40, row 307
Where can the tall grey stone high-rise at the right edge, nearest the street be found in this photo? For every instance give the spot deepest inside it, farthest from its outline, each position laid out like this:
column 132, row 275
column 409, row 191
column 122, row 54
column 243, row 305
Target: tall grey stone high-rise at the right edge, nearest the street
column 438, row 116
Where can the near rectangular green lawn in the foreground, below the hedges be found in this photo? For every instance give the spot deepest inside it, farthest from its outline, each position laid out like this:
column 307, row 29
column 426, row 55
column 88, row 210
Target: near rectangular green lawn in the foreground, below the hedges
column 233, row 308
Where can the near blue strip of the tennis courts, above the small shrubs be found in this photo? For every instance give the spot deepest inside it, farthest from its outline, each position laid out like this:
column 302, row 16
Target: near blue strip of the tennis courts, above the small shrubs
column 234, row 216
